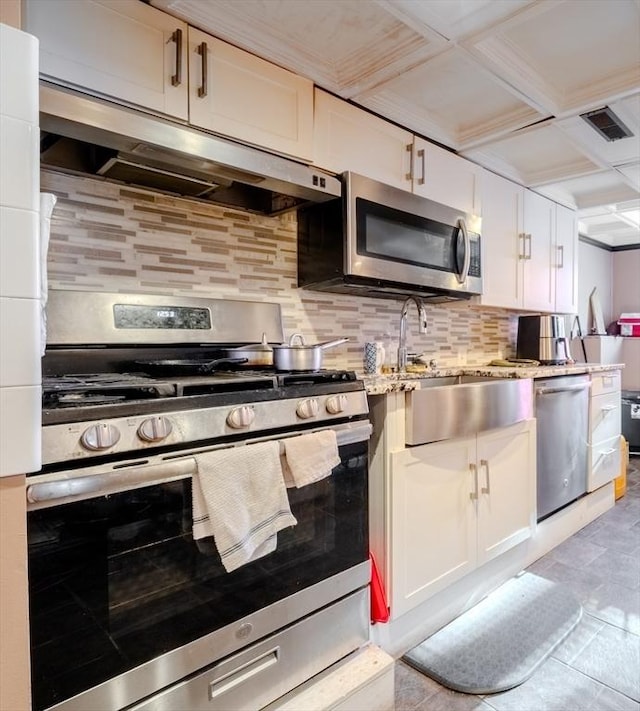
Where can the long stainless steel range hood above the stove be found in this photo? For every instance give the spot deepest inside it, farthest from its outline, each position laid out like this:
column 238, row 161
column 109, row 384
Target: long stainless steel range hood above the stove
column 90, row 136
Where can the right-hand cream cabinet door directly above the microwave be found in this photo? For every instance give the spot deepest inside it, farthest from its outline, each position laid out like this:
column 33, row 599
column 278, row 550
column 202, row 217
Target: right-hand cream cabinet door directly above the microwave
column 445, row 177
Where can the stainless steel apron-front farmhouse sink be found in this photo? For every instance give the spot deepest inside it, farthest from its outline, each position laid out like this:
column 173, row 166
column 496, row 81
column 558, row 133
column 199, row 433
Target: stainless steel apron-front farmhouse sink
column 463, row 405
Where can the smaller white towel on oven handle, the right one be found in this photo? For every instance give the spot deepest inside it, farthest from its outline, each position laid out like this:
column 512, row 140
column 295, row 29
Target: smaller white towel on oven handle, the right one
column 309, row 458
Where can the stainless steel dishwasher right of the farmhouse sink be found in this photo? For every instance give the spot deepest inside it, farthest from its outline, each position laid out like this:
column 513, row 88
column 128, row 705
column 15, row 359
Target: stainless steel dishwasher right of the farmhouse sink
column 562, row 414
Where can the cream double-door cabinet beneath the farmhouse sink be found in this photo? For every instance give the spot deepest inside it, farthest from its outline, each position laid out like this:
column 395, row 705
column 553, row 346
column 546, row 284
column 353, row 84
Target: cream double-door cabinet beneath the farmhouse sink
column 456, row 505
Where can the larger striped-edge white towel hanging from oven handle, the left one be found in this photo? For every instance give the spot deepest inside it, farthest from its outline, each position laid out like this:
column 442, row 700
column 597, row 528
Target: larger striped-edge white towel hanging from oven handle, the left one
column 240, row 499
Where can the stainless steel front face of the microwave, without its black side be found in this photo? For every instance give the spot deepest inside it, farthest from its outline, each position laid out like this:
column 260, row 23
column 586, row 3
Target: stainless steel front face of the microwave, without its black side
column 396, row 236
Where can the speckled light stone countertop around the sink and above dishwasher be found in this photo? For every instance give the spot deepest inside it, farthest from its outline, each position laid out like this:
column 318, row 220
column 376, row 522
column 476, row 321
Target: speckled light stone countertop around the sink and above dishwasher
column 398, row 382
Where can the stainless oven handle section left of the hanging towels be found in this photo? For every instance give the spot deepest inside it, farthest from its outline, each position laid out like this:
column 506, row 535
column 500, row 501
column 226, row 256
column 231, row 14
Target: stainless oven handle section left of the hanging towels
column 61, row 491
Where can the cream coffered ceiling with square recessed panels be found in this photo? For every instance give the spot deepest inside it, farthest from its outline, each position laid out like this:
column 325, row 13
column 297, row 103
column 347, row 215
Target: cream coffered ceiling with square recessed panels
column 502, row 82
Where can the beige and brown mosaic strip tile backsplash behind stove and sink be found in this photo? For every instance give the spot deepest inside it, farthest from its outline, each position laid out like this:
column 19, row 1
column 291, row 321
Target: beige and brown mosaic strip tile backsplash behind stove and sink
column 109, row 237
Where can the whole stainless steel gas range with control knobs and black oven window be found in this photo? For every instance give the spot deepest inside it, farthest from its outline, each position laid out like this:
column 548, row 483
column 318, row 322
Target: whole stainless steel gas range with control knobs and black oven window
column 127, row 610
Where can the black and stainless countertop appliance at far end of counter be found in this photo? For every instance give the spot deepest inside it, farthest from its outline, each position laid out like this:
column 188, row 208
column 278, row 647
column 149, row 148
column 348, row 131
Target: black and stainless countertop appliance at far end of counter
column 542, row 338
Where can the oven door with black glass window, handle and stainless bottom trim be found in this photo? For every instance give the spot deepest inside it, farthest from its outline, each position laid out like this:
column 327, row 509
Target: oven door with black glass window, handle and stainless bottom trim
column 123, row 602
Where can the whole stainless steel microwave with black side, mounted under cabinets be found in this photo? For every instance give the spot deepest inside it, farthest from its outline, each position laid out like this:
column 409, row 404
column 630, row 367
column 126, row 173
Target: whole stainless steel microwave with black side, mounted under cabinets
column 377, row 240
